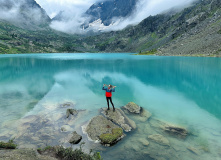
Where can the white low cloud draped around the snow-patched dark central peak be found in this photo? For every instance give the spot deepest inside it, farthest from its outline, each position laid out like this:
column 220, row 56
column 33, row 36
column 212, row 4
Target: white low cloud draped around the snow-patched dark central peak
column 144, row 9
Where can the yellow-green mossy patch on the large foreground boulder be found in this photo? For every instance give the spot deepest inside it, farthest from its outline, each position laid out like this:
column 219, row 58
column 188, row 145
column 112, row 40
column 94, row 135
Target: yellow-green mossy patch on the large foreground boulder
column 112, row 138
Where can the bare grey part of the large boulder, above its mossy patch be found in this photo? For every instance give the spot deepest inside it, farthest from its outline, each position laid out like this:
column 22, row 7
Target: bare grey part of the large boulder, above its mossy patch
column 98, row 126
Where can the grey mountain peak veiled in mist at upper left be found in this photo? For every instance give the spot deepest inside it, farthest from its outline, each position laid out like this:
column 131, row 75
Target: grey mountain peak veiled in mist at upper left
column 26, row 13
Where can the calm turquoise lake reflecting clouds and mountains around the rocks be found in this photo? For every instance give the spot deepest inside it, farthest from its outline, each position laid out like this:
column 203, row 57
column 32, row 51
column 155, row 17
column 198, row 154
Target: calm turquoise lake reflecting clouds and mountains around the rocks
column 185, row 91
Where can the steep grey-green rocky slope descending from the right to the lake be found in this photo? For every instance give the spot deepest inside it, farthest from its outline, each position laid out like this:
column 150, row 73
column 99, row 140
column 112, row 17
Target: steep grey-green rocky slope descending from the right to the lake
column 166, row 34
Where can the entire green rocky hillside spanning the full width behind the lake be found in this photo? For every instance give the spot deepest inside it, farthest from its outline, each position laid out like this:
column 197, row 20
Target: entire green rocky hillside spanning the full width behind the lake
column 192, row 31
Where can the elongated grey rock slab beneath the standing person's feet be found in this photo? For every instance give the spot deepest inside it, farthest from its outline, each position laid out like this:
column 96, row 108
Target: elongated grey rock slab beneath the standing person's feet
column 119, row 118
